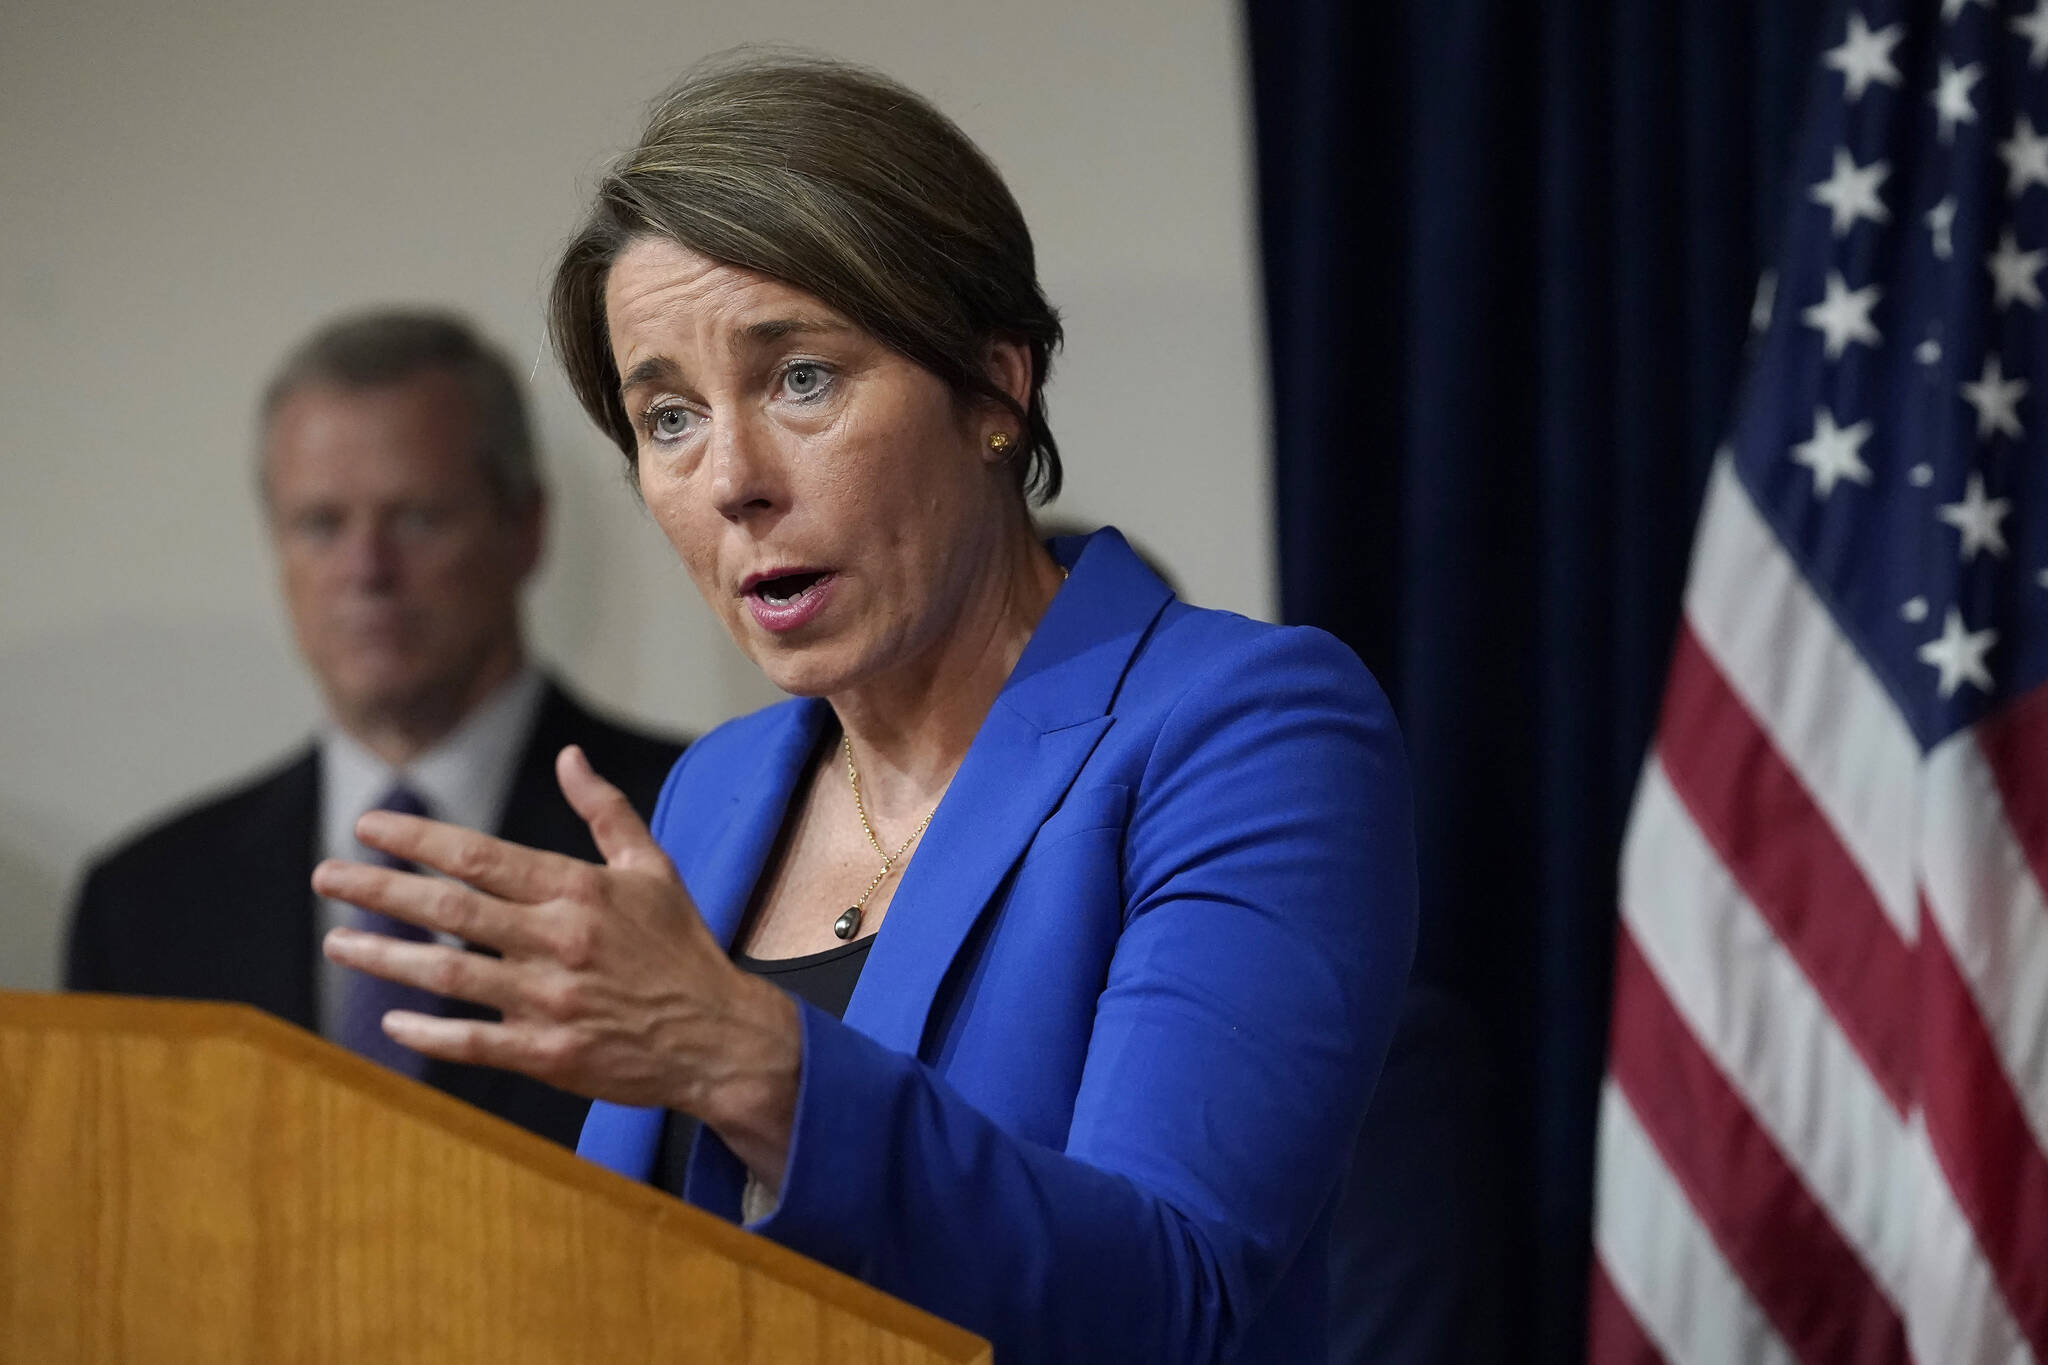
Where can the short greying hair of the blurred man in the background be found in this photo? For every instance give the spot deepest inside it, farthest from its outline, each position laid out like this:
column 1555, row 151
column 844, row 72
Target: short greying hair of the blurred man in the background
column 388, row 347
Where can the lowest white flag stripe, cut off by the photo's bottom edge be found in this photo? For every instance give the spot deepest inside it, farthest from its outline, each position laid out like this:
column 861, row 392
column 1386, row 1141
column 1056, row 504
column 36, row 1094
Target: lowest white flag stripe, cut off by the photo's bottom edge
column 1662, row 1262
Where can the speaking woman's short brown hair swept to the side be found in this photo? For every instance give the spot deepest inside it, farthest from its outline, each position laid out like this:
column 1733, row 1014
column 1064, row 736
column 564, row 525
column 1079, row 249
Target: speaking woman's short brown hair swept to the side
column 845, row 185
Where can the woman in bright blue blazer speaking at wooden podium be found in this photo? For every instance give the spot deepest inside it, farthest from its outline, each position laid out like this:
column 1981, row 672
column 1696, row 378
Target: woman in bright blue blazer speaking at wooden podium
column 1037, row 959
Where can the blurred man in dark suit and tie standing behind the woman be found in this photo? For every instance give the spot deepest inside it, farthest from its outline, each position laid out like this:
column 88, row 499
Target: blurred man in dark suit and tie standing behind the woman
column 398, row 478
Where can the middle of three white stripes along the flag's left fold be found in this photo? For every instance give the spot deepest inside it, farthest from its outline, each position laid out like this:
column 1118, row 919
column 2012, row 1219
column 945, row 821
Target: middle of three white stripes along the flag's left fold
column 1762, row 1022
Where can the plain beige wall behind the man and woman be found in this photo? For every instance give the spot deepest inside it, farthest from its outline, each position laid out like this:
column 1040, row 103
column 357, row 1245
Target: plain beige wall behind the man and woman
column 185, row 189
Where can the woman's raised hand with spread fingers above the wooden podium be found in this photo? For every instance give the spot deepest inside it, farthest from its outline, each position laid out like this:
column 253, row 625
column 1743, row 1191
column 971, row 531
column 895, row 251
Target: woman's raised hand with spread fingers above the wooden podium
column 609, row 983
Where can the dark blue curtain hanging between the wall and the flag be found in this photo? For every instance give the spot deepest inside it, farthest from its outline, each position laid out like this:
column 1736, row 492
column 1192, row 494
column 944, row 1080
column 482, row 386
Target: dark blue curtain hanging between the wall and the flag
column 1510, row 261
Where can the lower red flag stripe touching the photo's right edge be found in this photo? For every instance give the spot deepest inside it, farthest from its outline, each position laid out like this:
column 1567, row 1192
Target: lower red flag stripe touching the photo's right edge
column 1983, row 1143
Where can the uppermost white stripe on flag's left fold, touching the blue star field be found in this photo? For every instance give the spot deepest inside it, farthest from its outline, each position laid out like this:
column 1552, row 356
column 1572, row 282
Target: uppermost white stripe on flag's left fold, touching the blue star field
column 1814, row 695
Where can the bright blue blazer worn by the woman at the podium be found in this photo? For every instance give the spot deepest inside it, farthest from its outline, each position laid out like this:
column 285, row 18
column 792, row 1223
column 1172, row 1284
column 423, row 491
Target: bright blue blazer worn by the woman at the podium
column 1111, row 1049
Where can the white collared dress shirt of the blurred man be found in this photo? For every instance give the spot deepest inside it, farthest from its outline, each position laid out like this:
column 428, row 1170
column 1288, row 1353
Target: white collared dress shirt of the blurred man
column 464, row 781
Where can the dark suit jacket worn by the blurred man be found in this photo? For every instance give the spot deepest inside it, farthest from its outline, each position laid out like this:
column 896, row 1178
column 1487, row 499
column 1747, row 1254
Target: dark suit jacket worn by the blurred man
column 216, row 901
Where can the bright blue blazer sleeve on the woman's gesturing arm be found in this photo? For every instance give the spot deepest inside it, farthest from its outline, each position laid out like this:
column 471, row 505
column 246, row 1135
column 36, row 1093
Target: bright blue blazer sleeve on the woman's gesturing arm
column 1269, row 928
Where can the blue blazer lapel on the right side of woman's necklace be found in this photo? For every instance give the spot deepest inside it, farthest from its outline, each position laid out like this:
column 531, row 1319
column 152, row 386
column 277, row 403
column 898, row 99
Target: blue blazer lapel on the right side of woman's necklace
column 1027, row 754
